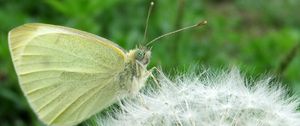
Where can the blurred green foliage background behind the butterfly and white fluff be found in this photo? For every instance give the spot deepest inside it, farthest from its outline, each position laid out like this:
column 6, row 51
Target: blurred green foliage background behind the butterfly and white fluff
column 256, row 36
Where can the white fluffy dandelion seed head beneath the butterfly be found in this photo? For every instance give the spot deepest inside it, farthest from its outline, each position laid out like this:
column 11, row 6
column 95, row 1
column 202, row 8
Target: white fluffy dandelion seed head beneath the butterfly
column 226, row 99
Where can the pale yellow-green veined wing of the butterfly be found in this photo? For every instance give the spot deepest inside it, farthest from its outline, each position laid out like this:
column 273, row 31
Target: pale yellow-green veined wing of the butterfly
column 67, row 75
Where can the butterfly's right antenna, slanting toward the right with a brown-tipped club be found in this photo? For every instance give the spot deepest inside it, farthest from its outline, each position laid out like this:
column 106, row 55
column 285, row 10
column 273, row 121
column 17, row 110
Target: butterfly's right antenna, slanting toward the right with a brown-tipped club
column 179, row 30
